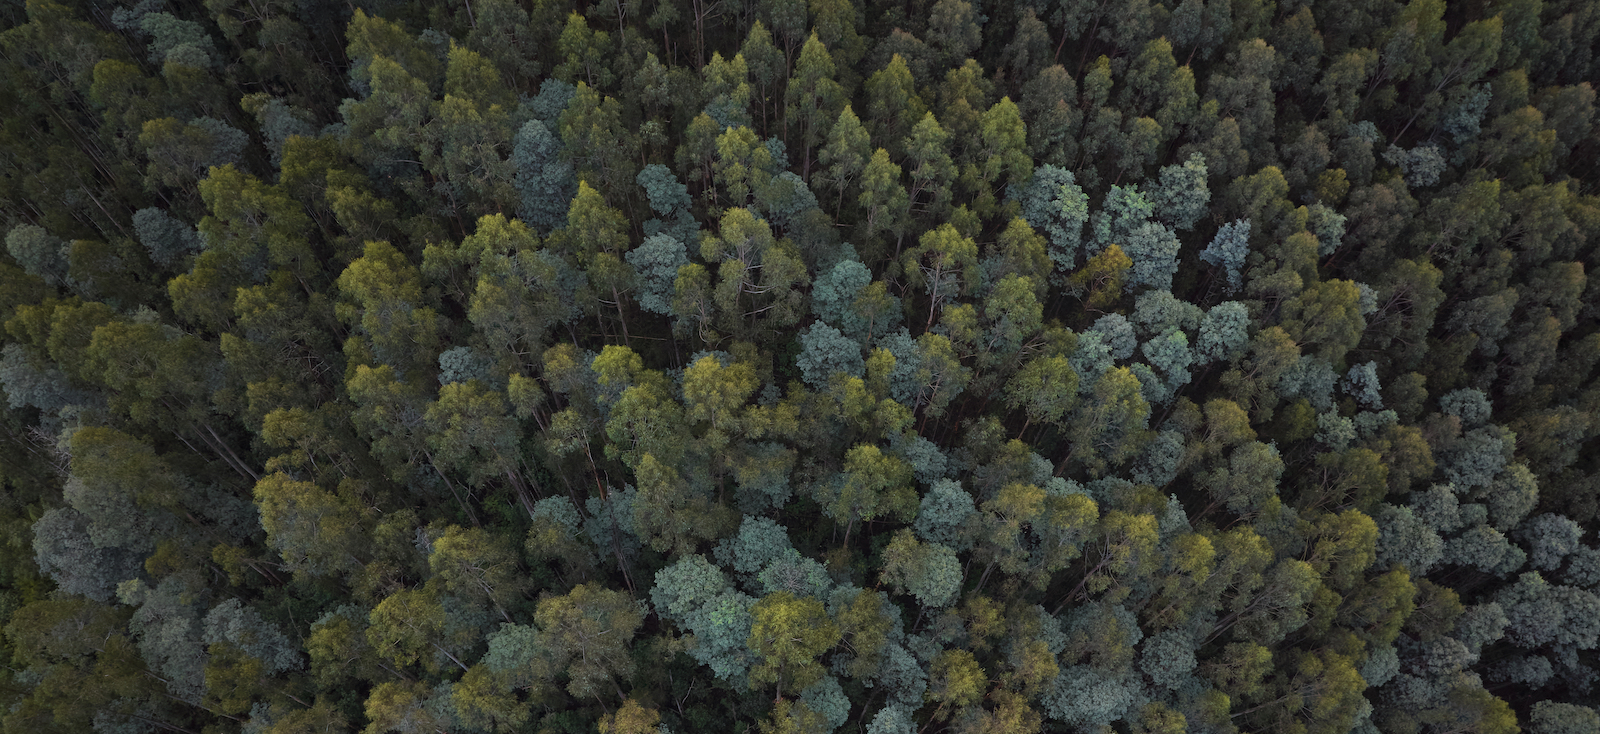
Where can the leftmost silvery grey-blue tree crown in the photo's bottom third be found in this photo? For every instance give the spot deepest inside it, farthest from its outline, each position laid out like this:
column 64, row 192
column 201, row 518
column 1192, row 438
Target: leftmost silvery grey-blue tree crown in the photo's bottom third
column 65, row 552
